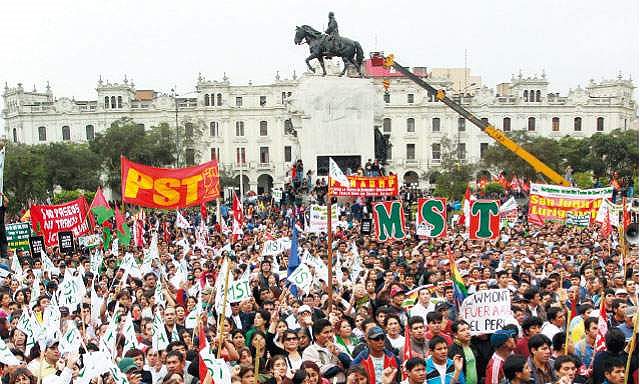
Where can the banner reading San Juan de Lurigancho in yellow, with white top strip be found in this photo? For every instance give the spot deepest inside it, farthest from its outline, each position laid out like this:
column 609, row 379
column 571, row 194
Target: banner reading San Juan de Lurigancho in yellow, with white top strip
column 551, row 202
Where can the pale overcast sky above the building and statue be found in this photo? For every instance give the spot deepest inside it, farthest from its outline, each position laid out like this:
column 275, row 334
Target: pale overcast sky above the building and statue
column 162, row 43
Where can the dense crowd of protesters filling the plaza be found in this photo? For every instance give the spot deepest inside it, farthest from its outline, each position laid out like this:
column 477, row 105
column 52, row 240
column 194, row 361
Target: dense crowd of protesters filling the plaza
column 395, row 319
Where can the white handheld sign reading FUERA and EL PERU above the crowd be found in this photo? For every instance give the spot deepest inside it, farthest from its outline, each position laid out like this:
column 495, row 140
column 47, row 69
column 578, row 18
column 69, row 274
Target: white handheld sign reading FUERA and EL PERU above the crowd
column 487, row 311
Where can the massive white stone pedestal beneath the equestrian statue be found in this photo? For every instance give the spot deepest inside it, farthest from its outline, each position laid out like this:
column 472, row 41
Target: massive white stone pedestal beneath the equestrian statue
column 335, row 116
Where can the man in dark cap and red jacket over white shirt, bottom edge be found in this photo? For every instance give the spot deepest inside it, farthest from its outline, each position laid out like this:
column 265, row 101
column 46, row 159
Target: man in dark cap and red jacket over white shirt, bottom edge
column 376, row 358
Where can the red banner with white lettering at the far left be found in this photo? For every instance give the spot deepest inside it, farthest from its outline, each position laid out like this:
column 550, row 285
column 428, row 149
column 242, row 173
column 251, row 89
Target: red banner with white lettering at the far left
column 51, row 219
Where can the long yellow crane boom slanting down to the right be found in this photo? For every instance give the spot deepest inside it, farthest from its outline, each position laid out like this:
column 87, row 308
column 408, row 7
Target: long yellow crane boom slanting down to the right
column 486, row 127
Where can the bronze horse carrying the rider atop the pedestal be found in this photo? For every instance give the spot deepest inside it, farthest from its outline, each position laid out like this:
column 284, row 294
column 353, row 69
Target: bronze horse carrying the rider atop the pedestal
column 322, row 46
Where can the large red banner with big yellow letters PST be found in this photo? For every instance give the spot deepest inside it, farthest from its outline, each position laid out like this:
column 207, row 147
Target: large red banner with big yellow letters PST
column 169, row 188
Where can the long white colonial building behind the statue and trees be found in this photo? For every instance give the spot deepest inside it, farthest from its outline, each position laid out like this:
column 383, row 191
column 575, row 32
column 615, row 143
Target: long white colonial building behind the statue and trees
column 263, row 129
